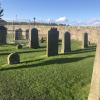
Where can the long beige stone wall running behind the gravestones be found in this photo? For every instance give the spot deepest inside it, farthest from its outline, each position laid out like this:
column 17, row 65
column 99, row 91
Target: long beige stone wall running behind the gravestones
column 76, row 32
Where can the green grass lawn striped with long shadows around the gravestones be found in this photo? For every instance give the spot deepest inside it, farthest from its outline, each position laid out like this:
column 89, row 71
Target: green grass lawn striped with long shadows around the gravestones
column 38, row 77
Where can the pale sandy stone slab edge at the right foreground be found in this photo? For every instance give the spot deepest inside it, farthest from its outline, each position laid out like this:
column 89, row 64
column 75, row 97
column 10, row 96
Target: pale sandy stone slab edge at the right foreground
column 95, row 83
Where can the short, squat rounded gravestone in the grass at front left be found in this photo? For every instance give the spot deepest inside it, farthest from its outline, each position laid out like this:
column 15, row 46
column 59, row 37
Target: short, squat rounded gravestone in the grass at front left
column 13, row 58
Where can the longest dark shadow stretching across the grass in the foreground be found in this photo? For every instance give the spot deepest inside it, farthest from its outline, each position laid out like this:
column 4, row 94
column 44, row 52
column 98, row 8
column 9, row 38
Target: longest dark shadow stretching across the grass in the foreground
column 48, row 62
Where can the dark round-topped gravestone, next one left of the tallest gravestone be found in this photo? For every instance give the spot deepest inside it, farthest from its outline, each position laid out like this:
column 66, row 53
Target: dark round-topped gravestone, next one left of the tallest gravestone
column 34, row 40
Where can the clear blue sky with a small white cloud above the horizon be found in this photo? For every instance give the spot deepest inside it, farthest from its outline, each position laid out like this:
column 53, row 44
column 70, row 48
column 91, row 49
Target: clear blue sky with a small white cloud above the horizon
column 60, row 11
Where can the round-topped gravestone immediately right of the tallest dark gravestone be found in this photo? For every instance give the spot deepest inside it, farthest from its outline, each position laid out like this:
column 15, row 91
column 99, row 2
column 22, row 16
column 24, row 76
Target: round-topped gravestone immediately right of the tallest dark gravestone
column 66, row 43
